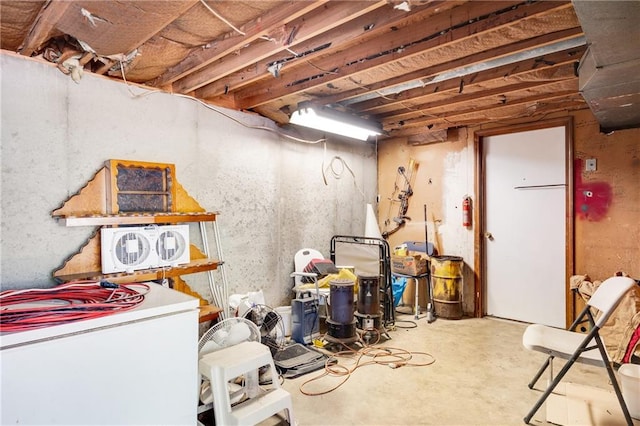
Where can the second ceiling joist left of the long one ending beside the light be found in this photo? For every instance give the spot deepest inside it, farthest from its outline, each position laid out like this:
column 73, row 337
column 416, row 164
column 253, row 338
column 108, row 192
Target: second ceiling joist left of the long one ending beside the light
column 333, row 15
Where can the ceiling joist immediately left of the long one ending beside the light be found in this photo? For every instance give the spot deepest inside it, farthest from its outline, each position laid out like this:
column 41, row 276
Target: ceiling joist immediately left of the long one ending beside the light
column 375, row 22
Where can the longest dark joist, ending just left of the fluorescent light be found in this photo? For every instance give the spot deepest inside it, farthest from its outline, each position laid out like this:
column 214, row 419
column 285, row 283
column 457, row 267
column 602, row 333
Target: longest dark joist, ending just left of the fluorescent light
column 370, row 55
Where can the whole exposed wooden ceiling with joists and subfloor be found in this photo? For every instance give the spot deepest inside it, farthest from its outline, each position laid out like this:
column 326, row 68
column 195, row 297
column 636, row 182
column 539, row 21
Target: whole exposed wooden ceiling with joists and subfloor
column 416, row 66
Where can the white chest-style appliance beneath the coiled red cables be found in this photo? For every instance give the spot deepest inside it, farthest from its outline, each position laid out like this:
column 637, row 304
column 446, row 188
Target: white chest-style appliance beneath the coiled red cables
column 134, row 367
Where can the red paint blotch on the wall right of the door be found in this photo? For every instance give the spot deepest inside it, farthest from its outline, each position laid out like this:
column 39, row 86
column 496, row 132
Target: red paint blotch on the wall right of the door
column 592, row 199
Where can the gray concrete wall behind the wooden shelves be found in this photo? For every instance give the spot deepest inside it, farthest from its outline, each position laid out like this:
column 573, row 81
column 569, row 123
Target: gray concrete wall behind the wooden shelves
column 269, row 190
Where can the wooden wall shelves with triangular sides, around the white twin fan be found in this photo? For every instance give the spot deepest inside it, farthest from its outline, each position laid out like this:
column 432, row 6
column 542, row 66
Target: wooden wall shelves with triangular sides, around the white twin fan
column 96, row 205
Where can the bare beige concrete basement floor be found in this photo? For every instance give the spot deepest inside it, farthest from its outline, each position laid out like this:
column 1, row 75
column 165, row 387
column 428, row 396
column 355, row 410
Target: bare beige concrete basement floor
column 479, row 377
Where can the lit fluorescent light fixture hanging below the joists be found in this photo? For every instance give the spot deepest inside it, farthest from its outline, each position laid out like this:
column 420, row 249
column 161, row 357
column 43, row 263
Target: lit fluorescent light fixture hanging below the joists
column 332, row 121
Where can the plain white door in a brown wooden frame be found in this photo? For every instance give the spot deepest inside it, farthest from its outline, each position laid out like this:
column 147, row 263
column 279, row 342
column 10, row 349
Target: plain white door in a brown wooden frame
column 525, row 259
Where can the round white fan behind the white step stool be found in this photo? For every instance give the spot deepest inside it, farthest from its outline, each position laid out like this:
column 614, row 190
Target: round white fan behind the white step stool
column 226, row 333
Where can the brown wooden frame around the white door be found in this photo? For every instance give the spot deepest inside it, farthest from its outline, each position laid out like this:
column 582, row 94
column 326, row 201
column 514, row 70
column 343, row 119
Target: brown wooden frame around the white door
column 479, row 212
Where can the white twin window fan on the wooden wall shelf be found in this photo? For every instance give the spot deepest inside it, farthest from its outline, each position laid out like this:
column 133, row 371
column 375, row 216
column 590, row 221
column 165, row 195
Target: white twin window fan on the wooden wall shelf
column 127, row 249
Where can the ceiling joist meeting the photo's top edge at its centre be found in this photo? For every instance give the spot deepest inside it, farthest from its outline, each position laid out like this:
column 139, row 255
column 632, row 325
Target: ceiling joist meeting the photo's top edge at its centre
column 232, row 42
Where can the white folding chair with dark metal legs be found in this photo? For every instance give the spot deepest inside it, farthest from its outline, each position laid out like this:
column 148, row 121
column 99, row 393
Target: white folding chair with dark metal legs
column 579, row 347
